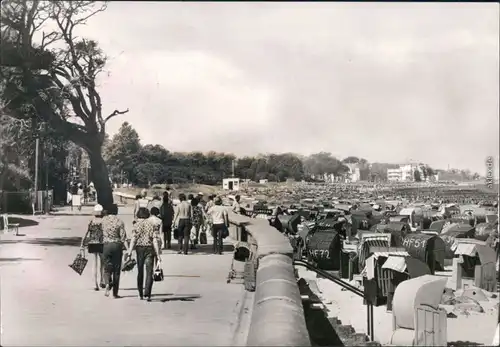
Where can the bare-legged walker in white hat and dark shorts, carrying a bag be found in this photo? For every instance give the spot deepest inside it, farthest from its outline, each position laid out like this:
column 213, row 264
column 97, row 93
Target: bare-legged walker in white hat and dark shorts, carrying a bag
column 94, row 240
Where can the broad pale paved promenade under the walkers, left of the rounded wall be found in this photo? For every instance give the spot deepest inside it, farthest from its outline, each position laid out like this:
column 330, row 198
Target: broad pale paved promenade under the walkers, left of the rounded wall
column 43, row 302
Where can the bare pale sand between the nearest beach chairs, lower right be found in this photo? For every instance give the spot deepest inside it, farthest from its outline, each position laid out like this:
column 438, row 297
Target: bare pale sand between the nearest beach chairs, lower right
column 473, row 327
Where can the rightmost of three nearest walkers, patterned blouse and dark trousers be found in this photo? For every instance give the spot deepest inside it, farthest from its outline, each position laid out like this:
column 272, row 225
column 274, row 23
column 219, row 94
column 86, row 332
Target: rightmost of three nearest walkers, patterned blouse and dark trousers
column 145, row 242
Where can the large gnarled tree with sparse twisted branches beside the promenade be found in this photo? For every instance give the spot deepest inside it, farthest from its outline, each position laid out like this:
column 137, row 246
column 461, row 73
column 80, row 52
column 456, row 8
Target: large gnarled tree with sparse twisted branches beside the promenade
column 54, row 79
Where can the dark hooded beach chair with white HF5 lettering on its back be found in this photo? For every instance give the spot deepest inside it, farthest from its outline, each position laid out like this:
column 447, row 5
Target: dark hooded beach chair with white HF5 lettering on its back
column 427, row 248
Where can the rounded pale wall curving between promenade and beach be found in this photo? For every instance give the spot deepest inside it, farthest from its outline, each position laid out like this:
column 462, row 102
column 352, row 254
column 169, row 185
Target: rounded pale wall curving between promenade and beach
column 277, row 316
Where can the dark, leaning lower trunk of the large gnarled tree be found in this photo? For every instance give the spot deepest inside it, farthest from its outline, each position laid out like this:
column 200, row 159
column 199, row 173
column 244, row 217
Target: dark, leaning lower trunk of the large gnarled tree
column 100, row 178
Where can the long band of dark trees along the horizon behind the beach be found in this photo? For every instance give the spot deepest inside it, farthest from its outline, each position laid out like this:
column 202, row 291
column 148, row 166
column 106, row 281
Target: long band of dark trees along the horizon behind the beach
column 130, row 161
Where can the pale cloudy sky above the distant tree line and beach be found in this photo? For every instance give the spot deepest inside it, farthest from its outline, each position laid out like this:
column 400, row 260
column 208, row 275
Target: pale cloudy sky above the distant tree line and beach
column 388, row 82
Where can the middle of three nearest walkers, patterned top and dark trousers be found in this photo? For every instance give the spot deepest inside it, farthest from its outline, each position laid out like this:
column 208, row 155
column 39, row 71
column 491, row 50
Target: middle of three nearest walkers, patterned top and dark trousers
column 114, row 241
